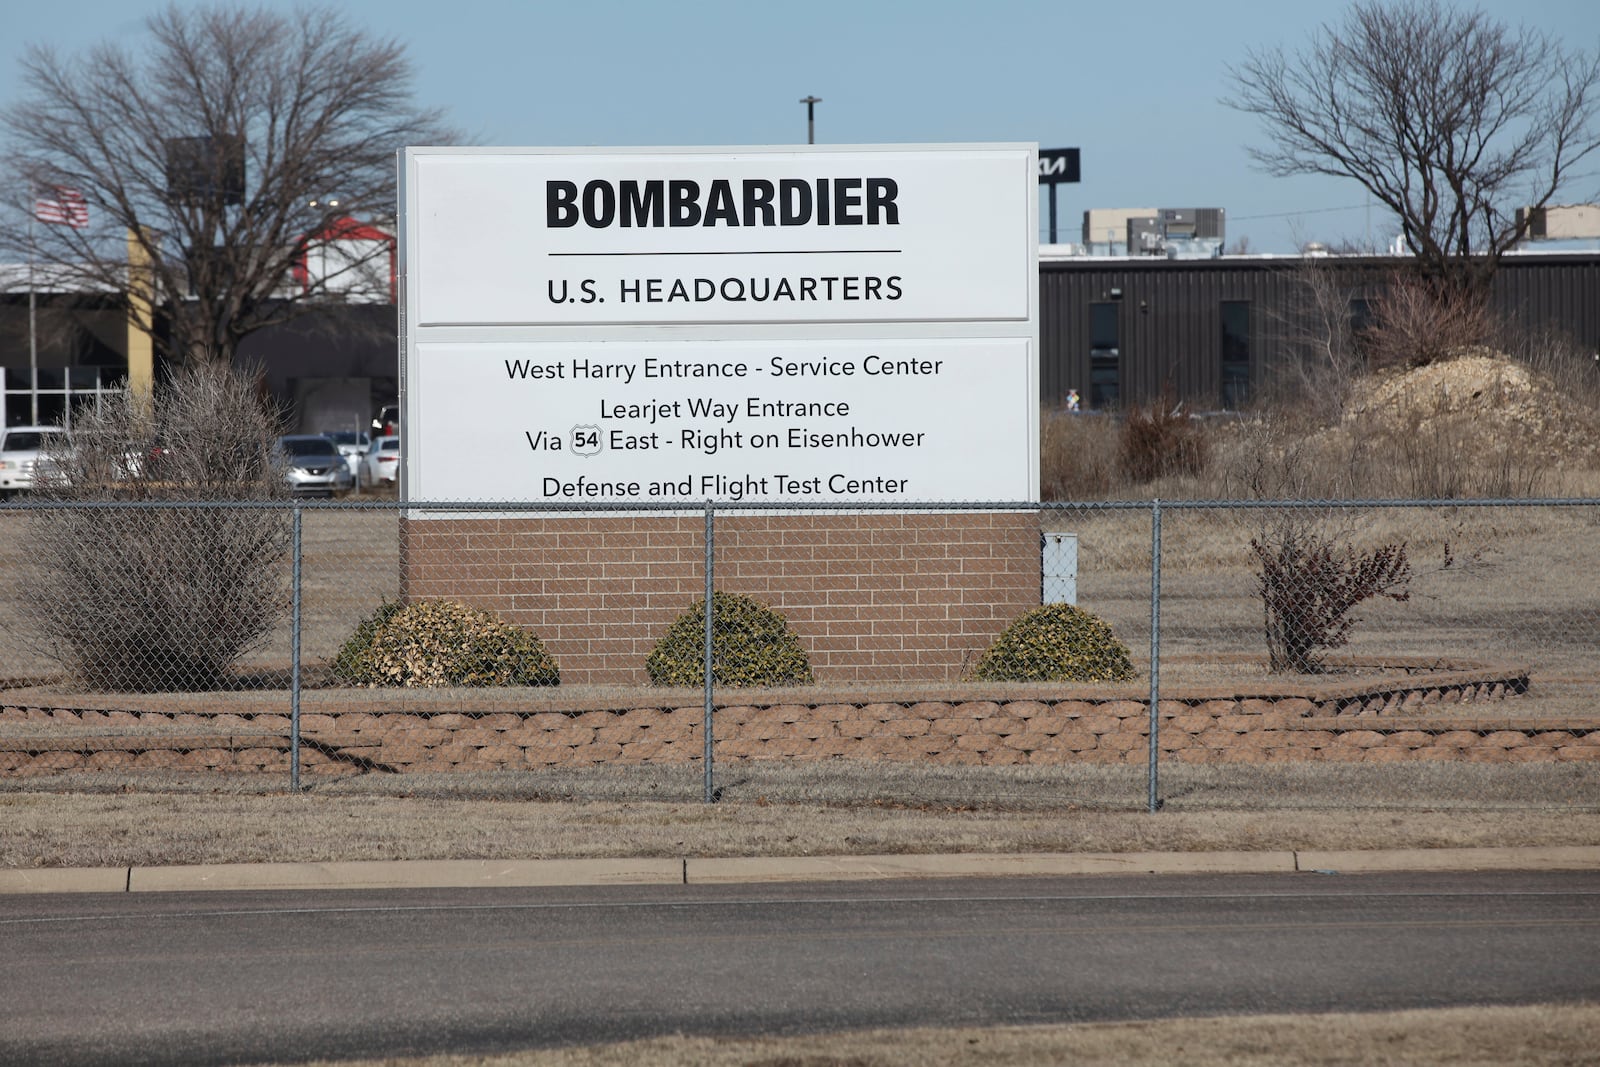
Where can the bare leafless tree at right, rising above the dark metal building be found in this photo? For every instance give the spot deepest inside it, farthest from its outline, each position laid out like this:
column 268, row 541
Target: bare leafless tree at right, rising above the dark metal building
column 1450, row 119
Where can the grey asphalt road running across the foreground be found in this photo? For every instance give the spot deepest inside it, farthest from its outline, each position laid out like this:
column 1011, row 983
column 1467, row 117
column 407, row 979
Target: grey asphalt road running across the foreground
column 281, row 977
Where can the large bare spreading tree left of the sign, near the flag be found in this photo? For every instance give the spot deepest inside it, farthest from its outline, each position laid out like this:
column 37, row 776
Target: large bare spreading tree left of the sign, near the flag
column 210, row 161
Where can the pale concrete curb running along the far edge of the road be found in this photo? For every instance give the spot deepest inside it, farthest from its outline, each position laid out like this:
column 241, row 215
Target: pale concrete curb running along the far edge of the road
column 452, row 874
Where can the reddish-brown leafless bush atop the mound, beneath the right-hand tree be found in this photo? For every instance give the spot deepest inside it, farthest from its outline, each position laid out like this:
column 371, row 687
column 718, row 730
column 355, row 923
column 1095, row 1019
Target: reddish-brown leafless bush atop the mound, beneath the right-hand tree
column 1417, row 324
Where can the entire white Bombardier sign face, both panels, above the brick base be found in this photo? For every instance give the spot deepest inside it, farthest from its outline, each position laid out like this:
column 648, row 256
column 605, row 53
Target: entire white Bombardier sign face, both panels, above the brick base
column 689, row 326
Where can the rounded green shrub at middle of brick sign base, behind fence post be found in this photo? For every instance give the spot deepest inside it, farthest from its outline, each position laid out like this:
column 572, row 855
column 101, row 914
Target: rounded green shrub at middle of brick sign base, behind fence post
column 751, row 647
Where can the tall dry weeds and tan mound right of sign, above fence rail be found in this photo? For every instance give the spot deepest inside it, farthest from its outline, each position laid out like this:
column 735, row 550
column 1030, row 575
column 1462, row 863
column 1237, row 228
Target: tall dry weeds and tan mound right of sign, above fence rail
column 1476, row 426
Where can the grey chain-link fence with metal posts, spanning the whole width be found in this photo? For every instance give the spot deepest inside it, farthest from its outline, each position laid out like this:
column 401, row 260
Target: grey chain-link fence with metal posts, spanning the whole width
column 1338, row 653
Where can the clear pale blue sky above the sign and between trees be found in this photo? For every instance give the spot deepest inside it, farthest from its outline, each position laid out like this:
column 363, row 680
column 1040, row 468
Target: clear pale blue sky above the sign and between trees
column 1135, row 86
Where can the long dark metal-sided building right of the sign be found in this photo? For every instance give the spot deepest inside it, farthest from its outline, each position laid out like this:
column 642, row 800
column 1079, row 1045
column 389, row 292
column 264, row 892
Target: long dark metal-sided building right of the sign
column 1217, row 332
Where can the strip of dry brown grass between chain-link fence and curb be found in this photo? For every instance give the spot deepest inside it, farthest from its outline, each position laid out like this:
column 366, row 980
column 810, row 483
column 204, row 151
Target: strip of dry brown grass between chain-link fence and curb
column 802, row 810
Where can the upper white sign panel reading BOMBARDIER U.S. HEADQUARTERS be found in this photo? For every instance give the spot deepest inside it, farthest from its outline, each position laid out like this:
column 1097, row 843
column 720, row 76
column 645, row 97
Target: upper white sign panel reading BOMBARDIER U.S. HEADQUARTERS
column 794, row 236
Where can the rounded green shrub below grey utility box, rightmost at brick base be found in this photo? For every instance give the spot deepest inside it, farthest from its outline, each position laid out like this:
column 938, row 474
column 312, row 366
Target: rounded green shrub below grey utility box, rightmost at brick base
column 1057, row 644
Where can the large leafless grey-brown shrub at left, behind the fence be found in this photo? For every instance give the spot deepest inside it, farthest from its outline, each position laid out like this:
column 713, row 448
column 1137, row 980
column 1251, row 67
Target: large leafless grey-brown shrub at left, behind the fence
column 161, row 599
